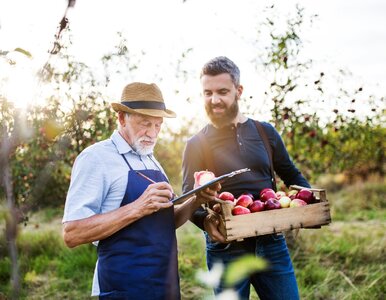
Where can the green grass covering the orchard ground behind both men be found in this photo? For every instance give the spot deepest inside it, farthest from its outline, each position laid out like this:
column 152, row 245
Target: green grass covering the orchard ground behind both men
column 345, row 260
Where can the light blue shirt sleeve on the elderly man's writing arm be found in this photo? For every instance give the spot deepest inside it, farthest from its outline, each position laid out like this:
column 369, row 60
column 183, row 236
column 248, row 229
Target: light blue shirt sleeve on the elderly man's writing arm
column 87, row 187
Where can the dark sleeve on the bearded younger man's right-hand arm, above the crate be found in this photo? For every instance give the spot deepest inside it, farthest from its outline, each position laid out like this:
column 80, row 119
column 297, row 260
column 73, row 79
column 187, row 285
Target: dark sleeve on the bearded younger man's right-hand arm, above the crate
column 283, row 165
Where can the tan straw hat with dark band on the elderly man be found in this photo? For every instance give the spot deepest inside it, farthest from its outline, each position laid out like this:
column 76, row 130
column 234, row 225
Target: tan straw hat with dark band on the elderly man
column 143, row 98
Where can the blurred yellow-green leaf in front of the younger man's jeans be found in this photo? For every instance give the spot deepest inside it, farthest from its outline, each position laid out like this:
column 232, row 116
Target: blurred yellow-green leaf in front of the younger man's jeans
column 242, row 267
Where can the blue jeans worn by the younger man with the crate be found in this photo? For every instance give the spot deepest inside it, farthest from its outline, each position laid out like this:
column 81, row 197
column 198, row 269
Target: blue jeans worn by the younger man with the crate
column 276, row 283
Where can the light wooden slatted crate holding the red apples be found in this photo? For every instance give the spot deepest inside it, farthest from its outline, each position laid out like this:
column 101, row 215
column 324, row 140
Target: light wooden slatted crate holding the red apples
column 272, row 221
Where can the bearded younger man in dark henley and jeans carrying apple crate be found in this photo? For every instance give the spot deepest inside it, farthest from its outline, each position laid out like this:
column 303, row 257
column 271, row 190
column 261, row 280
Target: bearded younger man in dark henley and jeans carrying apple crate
column 232, row 142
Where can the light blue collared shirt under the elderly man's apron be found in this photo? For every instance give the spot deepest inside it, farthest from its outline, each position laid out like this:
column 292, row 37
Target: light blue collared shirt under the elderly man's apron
column 99, row 179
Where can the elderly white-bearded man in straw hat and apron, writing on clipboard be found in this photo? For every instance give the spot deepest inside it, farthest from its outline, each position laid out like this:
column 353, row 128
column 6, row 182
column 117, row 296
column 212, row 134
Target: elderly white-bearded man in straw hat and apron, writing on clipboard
column 119, row 195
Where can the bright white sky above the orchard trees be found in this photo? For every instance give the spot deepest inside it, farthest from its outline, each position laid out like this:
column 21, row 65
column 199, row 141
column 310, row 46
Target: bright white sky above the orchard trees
column 347, row 34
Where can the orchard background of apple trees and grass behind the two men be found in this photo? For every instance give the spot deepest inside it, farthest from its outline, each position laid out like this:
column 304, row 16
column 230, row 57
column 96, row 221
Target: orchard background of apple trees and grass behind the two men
column 336, row 136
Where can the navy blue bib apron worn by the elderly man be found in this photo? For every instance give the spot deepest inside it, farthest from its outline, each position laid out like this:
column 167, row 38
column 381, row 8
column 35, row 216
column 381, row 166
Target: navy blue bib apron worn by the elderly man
column 140, row 260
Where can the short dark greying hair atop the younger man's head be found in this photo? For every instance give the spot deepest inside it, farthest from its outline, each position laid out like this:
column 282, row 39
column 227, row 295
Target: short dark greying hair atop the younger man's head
column 220, row 65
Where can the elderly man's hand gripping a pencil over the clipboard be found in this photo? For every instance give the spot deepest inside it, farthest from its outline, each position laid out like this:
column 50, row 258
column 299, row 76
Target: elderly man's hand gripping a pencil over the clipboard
column 156, row 196
